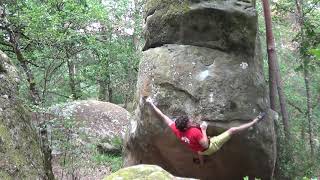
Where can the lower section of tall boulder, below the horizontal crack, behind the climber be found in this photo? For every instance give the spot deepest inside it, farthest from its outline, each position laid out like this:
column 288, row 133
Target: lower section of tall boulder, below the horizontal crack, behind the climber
column 195, row 80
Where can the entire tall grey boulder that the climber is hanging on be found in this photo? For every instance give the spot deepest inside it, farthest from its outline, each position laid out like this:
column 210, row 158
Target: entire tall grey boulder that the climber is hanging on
column 203, row 58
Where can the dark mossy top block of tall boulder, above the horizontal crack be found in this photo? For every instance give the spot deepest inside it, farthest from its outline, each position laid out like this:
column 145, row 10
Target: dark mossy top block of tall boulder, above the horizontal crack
column 225, row 25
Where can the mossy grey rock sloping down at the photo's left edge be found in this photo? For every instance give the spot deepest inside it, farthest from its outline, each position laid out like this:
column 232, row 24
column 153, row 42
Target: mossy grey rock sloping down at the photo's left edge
column 20, row 153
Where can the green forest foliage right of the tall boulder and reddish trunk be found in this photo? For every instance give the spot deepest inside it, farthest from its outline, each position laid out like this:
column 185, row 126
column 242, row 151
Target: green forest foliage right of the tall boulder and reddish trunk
column 297, row 50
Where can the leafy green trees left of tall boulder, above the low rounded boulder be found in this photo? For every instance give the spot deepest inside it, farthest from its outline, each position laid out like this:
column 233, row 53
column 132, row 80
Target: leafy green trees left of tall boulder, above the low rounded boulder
column 85, row 41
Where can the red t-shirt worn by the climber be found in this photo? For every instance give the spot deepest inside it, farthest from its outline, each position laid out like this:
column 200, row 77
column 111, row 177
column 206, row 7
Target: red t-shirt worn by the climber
column 190, row 137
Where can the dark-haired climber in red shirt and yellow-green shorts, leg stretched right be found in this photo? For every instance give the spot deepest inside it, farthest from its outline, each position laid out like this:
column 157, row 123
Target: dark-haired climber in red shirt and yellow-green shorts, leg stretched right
column 196, row 138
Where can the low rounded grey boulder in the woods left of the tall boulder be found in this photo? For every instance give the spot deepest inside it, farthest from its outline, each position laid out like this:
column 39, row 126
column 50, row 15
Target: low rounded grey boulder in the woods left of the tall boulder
column 95, row 118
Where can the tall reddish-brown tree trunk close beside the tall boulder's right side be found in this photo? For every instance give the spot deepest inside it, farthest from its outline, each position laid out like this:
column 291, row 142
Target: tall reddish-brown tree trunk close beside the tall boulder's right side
column 274, row 74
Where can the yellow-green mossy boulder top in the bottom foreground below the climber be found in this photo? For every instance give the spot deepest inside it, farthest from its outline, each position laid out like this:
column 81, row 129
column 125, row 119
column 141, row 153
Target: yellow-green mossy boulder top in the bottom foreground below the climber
column 147, row 172
